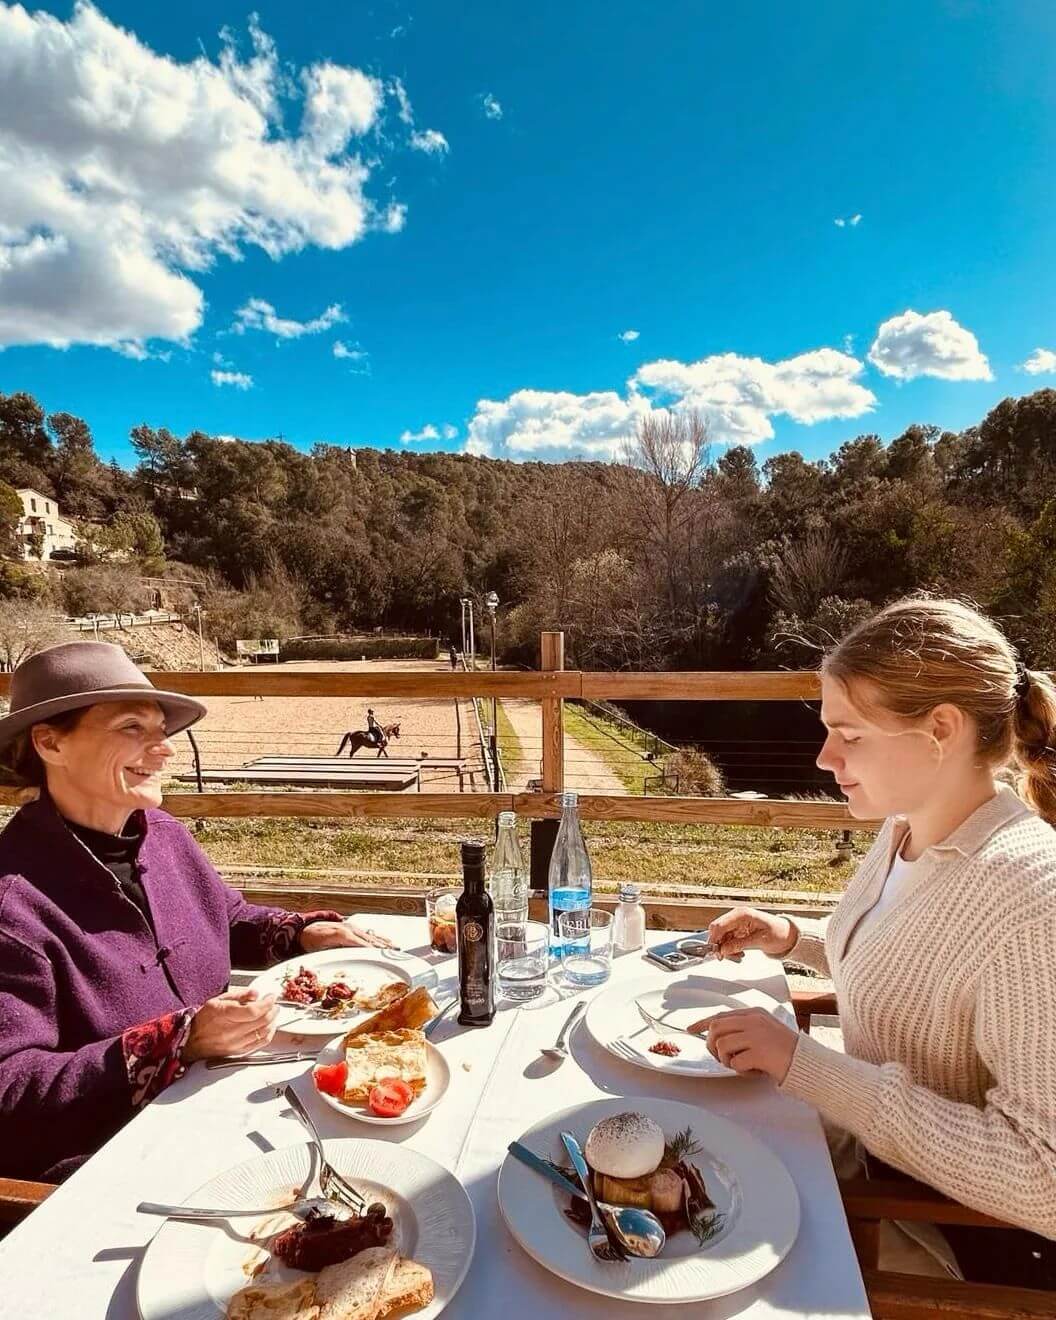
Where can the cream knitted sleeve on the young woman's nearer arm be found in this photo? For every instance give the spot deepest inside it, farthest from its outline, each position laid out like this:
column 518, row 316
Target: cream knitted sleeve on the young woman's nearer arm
column 1000, row 1158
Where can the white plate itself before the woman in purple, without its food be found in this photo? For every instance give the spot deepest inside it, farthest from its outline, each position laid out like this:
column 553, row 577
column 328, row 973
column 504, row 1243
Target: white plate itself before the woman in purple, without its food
column 368, row 968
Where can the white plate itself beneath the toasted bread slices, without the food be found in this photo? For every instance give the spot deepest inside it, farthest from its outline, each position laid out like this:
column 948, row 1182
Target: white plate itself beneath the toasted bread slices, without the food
column 192, row 1270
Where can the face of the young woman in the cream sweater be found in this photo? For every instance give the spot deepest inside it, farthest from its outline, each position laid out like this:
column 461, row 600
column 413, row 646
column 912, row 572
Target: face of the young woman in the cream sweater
column 885, row 765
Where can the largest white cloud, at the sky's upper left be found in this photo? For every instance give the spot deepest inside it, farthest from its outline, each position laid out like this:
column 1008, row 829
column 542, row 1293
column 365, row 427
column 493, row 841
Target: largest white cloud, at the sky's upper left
column 123, row 174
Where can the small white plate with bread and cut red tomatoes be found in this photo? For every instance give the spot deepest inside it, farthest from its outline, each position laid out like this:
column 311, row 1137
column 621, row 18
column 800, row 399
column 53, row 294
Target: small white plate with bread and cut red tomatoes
column 383, row 1070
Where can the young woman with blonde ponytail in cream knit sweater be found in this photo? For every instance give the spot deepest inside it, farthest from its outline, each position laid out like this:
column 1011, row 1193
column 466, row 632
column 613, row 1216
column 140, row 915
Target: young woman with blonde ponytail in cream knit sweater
column 943, row 951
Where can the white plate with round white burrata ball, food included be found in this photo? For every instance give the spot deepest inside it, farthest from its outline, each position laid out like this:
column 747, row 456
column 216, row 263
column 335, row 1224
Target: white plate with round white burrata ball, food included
column 728, row 1206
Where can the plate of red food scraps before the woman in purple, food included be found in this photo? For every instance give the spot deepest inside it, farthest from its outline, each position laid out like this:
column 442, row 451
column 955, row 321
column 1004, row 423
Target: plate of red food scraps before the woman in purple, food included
column 327, row 993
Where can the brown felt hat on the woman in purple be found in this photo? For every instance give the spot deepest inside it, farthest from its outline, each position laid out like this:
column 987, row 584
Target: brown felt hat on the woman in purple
column 84, row 674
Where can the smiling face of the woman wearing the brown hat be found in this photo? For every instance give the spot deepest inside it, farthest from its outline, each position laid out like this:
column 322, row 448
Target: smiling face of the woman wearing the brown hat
column 109, row 765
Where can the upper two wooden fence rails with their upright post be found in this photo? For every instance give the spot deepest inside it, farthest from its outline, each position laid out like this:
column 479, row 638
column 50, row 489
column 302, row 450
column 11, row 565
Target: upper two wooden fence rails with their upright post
column 551, row 687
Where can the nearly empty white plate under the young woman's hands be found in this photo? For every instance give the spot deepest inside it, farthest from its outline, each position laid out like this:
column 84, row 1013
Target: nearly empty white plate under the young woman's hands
column 616, row 1024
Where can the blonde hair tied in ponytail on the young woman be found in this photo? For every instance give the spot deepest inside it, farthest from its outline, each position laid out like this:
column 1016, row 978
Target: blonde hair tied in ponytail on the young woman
column 922, row 653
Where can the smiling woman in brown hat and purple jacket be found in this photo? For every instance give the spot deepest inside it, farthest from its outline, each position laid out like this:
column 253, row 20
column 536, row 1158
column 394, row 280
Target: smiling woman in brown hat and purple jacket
column 117, row 935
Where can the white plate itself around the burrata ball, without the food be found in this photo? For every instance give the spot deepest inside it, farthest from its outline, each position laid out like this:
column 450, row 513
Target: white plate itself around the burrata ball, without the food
column 752, row 1189
